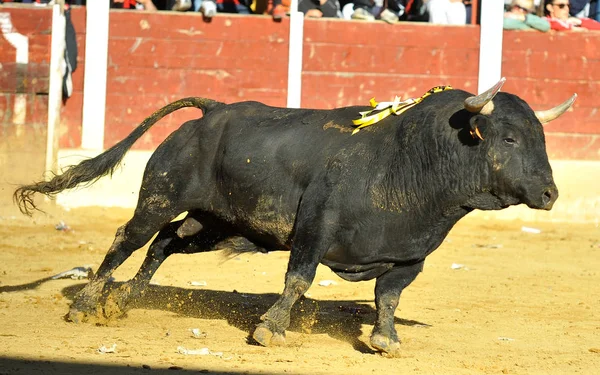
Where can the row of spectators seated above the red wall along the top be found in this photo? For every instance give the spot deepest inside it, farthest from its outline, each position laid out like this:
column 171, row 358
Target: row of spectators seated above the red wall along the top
column 542, row 15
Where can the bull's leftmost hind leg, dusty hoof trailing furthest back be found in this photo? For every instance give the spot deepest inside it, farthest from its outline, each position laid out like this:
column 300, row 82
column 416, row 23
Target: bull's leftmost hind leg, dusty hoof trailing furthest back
column 146, row 221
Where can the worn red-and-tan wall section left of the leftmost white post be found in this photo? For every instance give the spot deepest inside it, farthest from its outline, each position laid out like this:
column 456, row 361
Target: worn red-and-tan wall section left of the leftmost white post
column 24, row 102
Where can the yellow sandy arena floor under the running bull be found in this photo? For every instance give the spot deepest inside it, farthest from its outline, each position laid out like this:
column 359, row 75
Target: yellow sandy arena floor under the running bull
column 522, row 303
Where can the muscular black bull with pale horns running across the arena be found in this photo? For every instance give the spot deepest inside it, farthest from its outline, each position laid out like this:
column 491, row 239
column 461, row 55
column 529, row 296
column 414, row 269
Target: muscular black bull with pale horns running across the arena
column 369, row 205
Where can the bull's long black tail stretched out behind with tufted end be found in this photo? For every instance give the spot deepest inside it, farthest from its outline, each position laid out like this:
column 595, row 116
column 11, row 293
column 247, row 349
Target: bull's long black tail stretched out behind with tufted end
column 90, row 170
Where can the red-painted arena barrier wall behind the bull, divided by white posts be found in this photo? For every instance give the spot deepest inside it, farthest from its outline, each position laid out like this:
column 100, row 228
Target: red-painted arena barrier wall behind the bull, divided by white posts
column 155, row 58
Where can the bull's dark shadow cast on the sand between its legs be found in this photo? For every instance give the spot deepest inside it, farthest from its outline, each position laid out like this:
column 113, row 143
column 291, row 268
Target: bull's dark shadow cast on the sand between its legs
column 340, row 319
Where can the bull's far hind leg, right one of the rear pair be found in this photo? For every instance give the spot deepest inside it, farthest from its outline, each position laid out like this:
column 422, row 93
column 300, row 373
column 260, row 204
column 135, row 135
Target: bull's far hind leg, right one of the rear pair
column 186, row 236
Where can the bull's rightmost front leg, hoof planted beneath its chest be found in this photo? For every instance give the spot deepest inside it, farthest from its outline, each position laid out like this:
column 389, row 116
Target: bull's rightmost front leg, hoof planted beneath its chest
column 388, row 288
